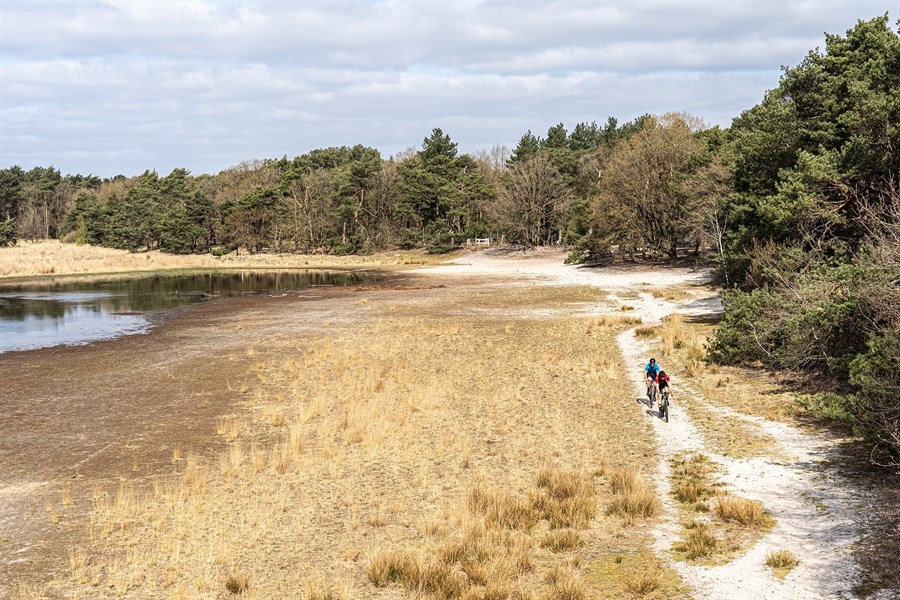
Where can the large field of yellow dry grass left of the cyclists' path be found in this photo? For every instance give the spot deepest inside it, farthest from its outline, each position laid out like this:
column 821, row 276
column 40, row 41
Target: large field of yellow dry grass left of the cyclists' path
column 393, row 433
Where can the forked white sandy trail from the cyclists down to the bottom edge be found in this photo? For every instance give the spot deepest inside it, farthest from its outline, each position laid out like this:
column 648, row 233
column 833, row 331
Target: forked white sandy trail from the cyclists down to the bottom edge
column 814, row 512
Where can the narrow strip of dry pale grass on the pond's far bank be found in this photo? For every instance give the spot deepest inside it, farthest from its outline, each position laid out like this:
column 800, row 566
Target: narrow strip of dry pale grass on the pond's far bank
column 51, row 257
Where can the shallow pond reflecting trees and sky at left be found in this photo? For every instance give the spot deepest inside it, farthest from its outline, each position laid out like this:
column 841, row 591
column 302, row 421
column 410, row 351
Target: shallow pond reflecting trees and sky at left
column 41, row 315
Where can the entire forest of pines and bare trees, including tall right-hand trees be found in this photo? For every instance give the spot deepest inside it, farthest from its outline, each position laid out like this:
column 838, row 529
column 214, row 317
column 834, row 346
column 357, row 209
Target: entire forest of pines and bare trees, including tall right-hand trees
column 797, row 203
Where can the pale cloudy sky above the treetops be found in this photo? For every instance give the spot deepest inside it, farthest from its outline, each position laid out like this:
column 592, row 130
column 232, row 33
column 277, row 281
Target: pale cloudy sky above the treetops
column 120, row 87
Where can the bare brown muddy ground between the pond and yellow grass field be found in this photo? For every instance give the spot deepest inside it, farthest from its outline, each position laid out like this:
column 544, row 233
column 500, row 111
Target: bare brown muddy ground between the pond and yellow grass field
column 75, row 418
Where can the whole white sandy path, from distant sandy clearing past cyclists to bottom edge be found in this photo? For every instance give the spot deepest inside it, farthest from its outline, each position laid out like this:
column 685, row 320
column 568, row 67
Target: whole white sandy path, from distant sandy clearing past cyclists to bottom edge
column 814, row 509
